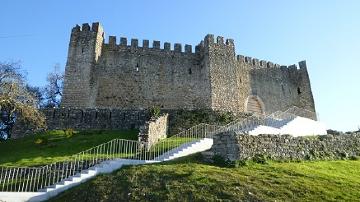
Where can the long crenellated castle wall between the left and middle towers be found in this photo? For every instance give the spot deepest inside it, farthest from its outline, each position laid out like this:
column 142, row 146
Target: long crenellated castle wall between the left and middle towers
column 133, row 77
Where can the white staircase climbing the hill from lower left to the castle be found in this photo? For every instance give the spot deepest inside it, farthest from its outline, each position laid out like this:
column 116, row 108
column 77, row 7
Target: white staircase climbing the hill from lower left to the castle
column 203, row 141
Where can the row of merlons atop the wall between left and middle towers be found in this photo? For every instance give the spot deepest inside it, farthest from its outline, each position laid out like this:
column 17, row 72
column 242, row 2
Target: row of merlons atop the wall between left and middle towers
column 113, row 44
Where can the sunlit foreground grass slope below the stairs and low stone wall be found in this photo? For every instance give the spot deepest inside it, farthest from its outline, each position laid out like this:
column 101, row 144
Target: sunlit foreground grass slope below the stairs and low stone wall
column 191, row 180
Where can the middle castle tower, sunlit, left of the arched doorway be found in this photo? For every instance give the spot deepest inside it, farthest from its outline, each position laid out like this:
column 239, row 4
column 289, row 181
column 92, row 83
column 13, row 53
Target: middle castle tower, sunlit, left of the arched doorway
column 224, row 74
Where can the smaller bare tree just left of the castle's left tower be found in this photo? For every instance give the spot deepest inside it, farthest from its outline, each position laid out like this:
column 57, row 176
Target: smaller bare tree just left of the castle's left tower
column 54, row 88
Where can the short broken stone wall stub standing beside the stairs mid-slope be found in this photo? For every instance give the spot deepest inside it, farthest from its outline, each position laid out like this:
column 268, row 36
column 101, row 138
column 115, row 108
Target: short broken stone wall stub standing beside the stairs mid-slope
column 153, row 131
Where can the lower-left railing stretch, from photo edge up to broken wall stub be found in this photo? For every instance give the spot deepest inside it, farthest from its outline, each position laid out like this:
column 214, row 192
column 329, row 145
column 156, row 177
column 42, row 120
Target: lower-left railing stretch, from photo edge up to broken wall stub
column 29, row 179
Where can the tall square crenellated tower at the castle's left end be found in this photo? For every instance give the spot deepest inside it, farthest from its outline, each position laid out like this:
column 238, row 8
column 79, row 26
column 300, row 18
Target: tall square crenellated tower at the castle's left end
column 80, row 87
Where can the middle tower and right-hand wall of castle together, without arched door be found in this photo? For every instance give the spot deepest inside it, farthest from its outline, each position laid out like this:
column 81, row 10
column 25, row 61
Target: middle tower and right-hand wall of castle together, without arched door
column 234, row 79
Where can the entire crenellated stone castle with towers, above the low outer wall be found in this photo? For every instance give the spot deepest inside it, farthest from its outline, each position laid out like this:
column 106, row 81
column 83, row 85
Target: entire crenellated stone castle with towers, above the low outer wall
column 126, row 75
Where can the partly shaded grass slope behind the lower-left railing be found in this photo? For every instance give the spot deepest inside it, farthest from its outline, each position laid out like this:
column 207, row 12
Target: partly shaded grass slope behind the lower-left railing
column 57, row 146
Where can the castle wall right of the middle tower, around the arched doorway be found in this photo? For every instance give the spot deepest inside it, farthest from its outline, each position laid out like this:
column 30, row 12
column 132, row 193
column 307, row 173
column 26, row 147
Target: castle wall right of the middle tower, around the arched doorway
column 278, row 87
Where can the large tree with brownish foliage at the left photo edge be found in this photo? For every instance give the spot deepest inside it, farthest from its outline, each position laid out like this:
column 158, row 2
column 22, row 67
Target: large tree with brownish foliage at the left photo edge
column 16, row 102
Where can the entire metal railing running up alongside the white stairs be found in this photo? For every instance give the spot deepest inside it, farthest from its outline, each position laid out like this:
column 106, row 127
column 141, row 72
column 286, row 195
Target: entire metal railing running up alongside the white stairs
column 30, row 179
